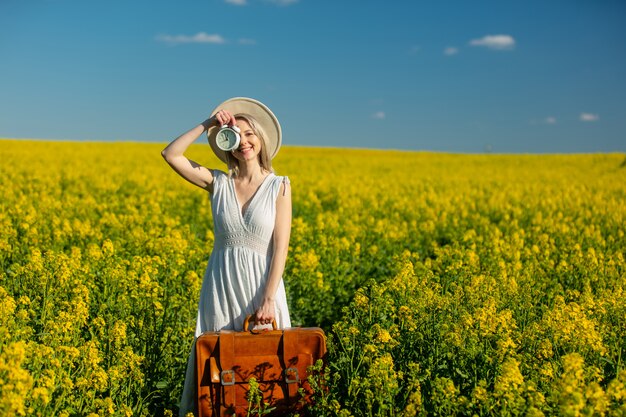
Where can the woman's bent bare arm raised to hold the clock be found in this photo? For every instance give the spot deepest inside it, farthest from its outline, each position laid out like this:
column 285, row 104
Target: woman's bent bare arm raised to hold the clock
column 186, row 168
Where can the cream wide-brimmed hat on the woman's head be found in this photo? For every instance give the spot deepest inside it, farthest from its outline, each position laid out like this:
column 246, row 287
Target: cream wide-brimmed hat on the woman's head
column 260, row 112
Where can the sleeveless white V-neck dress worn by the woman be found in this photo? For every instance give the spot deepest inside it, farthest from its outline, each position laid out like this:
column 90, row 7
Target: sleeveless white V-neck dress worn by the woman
column 238, row 267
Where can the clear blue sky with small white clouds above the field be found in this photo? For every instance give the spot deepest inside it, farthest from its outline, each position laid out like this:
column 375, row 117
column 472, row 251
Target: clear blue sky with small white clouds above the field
column 454, row 76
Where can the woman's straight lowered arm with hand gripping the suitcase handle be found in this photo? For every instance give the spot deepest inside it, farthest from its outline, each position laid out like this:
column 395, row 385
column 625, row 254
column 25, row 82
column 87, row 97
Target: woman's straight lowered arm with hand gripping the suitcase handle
column 282, row 231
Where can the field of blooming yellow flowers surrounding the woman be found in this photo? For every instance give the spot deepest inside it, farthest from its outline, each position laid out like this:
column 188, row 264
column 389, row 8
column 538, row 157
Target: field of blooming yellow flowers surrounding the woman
column 448, row 284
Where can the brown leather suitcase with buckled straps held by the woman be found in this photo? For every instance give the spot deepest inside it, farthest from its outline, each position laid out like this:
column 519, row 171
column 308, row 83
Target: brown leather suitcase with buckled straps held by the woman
column 277, row 359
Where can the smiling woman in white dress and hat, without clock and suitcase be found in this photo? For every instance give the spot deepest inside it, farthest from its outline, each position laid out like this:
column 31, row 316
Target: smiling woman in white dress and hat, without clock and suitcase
column 251, row 209
